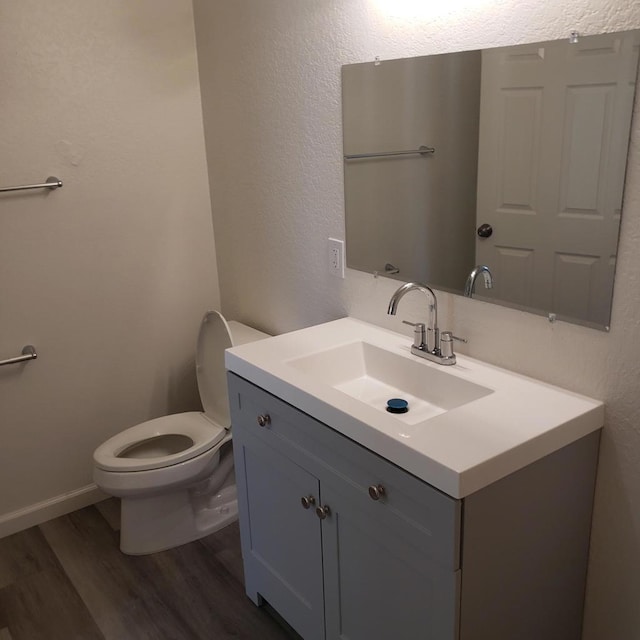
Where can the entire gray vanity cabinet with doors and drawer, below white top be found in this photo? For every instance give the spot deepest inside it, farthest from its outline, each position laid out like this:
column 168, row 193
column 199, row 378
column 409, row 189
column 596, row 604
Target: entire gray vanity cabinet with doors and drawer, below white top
column 344, row 544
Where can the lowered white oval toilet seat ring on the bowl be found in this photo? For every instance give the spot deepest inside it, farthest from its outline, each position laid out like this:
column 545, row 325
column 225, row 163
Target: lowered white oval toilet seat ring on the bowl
column 200, row 429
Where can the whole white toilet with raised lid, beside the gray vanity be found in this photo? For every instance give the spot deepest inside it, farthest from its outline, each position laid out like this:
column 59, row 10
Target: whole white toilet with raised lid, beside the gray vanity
column 174, row 474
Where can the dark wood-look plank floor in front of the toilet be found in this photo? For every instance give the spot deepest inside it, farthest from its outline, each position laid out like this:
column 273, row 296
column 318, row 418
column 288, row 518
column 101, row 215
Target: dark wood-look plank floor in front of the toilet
column 67, row 580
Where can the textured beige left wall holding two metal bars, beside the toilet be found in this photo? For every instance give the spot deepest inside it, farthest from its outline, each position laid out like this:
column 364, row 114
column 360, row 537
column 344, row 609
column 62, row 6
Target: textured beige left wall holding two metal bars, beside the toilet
column 109, row 275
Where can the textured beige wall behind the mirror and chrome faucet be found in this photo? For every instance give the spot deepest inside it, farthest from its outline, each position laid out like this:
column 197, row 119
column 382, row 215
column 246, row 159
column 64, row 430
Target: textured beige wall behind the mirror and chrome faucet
column 270, row 75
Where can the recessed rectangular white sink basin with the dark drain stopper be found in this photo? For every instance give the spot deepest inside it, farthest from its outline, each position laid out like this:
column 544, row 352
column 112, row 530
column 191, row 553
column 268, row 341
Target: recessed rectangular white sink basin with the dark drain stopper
column 374, row 375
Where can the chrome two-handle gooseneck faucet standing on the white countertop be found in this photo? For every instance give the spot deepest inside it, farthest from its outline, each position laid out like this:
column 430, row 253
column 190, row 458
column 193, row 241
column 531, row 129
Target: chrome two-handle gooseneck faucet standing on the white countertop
column 427, row 343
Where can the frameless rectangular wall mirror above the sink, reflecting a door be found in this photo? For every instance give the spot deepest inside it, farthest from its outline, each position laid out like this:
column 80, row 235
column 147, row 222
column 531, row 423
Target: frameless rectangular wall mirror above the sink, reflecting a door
column 513, row 158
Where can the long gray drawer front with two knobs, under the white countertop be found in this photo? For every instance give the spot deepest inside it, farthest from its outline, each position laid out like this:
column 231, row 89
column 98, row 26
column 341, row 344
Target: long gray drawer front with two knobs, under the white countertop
column 409, row 509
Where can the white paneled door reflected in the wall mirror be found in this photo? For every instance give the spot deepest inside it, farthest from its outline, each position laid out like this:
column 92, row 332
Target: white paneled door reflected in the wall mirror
column 551, row 132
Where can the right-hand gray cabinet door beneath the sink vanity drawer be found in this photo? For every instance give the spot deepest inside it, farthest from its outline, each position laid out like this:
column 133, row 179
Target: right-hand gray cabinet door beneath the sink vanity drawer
column 377, row 587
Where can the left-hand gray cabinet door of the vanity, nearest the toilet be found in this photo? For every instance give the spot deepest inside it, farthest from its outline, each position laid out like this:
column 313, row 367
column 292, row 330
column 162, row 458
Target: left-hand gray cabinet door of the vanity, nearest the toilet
column 282, row 547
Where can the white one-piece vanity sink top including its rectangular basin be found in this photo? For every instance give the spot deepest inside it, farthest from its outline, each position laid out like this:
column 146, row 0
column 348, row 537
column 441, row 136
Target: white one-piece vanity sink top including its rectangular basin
column 468, row 424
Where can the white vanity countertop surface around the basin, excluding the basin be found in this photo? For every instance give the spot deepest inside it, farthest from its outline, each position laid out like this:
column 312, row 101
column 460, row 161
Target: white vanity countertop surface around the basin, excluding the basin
column 459, row 451
